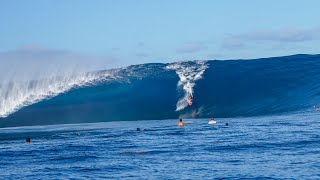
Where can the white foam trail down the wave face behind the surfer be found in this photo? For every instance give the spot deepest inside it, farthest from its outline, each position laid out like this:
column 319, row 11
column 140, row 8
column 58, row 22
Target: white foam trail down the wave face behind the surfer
column 188, row 75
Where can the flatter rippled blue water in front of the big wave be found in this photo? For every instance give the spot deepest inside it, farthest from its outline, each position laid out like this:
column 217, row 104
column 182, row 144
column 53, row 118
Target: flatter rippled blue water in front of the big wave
column 277, row 147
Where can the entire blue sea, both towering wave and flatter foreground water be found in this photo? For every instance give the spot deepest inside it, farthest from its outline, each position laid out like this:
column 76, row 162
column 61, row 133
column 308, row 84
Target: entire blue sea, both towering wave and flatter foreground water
column 83, row 125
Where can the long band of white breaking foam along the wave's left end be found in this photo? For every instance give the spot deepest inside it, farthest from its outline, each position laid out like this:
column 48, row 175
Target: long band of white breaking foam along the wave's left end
column 15, row 95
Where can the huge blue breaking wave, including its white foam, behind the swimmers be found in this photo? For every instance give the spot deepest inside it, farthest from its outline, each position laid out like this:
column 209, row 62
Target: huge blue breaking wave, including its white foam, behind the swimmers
column 160, row 91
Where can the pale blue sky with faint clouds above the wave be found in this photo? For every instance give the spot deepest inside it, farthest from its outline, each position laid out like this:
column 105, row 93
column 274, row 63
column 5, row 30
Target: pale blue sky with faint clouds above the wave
column 112, row 33
